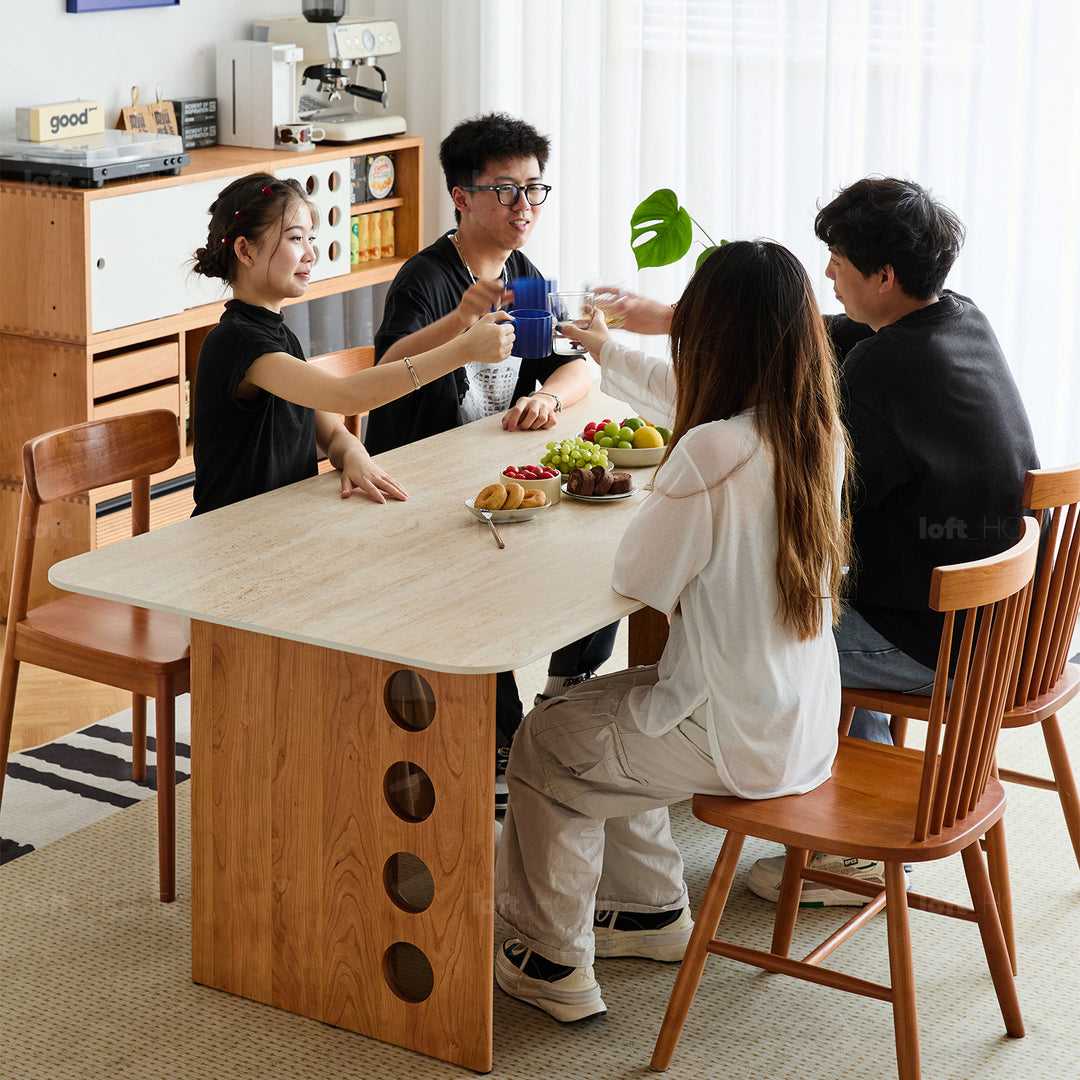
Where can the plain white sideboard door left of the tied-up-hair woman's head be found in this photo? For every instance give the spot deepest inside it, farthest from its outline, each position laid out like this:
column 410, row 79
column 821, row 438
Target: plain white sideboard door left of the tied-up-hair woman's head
column 141, row 251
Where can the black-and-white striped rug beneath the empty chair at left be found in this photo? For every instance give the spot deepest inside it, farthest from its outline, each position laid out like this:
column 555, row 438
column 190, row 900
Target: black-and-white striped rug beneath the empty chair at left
column 65, row 786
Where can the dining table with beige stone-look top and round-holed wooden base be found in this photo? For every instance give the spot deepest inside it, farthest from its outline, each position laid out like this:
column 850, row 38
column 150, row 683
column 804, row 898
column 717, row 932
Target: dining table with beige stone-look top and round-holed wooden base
column 344, row 660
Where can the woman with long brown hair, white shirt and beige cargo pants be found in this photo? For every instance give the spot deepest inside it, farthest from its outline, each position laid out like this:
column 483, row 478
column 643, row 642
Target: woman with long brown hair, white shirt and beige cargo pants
column 742, row 544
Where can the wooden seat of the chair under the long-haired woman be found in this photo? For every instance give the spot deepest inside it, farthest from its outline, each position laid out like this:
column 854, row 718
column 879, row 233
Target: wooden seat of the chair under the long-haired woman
column 865, row 811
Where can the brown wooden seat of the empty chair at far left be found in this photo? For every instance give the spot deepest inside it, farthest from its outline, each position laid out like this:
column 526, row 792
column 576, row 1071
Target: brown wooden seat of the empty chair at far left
column 92, row 630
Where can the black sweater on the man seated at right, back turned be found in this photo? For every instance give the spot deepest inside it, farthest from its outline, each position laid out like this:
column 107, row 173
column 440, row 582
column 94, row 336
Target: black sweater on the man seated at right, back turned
column 942, row 444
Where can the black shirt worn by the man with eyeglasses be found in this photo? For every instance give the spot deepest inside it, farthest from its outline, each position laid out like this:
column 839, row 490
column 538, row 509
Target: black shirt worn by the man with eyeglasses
column 427, row 288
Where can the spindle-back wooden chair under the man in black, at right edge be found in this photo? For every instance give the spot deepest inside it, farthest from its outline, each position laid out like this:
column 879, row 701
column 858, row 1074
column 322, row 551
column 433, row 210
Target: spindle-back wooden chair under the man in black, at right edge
column 1043, row 681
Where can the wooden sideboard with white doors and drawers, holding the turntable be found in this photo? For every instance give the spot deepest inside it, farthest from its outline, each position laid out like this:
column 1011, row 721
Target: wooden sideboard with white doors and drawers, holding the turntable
column 101, row 315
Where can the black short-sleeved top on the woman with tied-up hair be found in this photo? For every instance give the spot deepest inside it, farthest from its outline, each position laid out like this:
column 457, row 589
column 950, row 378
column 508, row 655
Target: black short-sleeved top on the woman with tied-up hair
column 244, row 449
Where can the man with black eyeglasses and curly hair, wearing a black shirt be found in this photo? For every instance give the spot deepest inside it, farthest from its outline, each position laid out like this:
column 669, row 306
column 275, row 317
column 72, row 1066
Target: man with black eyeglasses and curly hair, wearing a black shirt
column 494, row 170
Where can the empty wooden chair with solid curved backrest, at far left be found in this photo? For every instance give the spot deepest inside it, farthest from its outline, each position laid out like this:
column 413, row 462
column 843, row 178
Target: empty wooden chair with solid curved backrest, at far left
column 128, row 647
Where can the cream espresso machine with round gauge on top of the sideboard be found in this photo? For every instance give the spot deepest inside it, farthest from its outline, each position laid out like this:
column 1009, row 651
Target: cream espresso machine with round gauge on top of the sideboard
column 334, row 85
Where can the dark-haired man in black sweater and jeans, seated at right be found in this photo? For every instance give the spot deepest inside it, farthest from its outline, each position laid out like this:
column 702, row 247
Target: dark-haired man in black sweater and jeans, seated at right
column 941, row 443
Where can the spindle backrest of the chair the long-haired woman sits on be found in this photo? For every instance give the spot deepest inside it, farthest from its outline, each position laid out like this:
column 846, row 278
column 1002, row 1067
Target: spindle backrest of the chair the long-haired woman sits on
column 992, row 596
